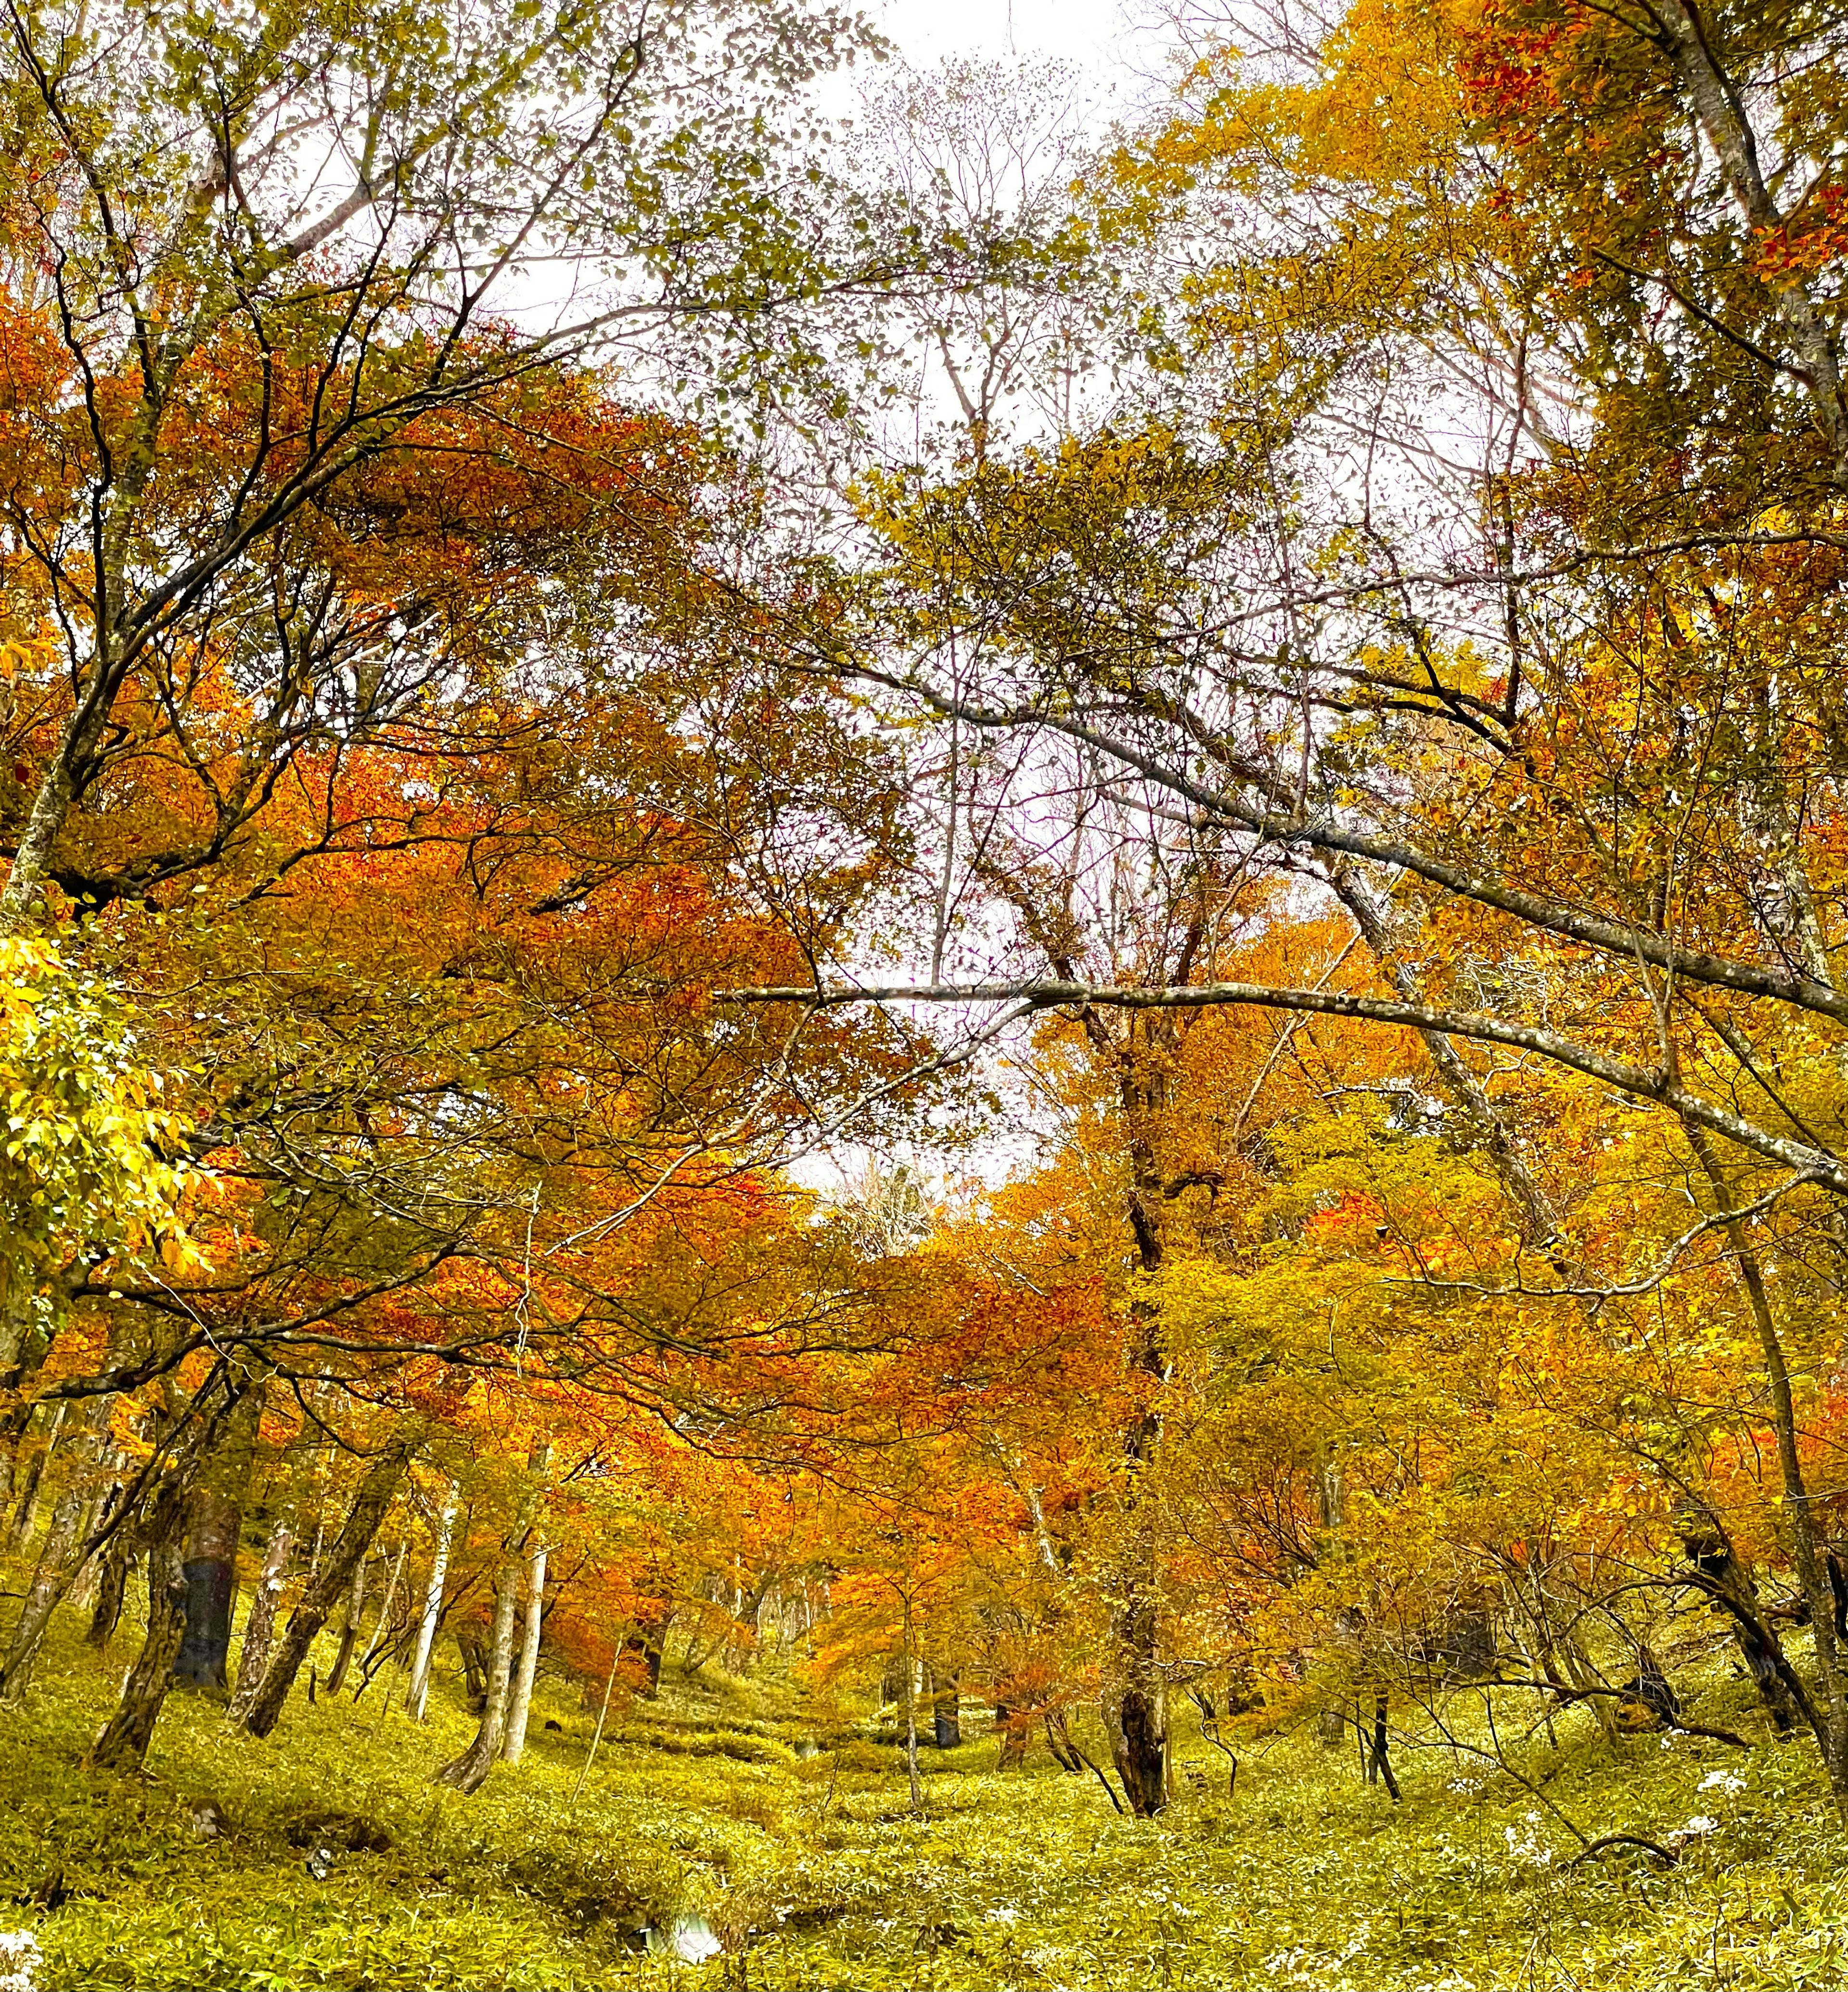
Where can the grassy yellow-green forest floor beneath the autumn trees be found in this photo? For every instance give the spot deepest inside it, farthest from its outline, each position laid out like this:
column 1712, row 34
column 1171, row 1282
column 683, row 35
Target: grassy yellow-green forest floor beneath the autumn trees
column 815, row 1875
